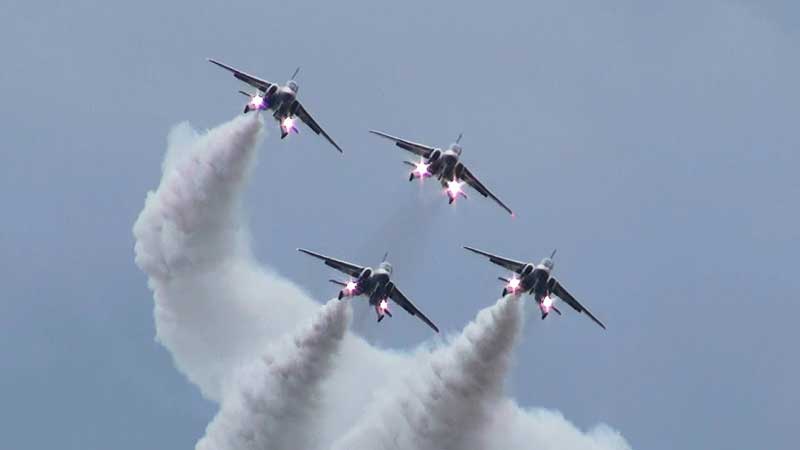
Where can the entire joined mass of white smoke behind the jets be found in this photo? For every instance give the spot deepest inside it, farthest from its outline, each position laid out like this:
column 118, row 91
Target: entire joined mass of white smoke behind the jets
column 221, row 315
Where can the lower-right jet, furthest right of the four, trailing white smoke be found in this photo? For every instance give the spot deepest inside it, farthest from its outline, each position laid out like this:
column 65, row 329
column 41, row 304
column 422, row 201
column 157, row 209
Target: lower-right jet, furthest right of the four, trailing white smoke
column 538, row 281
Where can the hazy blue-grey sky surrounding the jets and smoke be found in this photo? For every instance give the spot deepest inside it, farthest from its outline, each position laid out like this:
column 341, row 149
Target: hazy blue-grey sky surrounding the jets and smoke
column 654, row 145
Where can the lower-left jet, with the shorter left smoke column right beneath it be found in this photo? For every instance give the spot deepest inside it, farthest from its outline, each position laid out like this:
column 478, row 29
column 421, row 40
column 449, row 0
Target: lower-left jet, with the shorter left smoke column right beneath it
column 375, row 283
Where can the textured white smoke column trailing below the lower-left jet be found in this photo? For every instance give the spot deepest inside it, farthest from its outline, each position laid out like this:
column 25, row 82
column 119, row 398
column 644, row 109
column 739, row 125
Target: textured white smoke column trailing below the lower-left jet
column 273, row 403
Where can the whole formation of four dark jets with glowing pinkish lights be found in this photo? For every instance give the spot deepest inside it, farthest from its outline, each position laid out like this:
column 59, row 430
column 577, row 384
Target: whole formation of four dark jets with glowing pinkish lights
column 445, row 165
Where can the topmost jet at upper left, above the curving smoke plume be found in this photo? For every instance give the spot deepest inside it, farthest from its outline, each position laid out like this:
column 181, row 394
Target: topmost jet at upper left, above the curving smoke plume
column 282, row 100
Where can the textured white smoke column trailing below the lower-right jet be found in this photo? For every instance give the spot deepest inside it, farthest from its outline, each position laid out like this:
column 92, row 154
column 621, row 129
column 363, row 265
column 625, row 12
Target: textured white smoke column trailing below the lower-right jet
column 447, row 405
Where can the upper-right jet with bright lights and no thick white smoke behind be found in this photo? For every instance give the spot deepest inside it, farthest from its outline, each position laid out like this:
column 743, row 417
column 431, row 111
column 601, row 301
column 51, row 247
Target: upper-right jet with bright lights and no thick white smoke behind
column 444, row 165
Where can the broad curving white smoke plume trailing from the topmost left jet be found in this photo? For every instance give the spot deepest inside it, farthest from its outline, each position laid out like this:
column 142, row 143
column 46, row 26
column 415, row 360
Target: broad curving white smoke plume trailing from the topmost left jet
column 215, row 307
